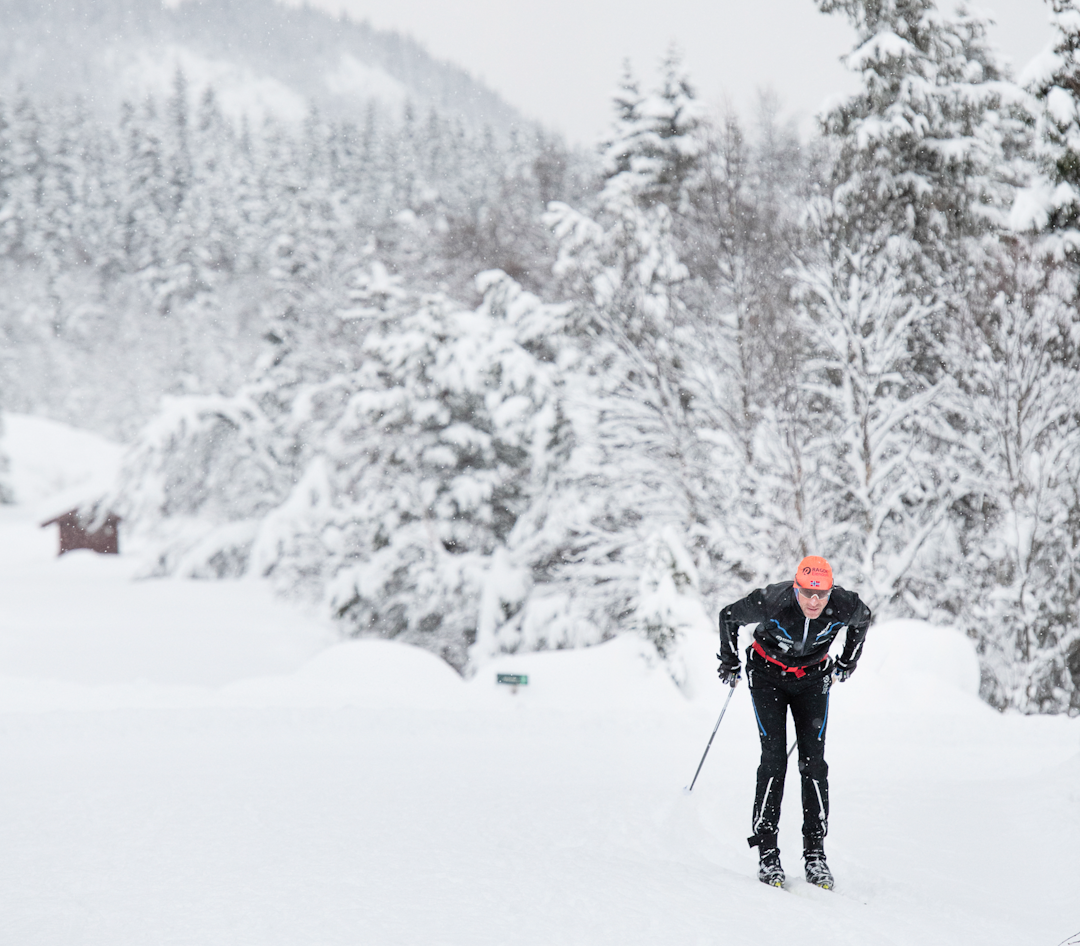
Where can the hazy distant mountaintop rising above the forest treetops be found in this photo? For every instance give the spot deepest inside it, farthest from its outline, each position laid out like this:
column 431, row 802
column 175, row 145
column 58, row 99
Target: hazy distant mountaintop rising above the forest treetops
column 261, row 57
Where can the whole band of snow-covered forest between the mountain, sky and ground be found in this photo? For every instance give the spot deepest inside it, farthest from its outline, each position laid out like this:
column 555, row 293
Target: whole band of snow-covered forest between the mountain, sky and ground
column 468, row 389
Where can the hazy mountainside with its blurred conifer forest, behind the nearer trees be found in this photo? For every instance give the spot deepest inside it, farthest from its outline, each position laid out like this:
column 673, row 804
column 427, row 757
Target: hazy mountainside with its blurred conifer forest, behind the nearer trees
column 173, row 180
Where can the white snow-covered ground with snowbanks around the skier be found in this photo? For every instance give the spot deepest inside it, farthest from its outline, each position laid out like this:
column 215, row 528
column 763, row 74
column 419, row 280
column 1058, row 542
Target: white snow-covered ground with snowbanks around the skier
column 191, row 763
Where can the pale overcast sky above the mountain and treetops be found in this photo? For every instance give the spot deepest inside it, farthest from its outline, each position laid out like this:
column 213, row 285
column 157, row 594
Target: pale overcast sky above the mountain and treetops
column 559, row 61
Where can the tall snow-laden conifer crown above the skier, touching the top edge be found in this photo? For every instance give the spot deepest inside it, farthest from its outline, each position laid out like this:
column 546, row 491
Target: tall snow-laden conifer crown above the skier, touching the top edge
column 922, row 144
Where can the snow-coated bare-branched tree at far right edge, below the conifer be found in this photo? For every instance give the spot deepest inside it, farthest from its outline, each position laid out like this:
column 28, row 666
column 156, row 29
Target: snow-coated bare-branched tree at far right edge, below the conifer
column 1018, row 533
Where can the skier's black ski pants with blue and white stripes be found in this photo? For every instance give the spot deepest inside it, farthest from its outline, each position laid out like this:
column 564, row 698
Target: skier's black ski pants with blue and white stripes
column 774, row 694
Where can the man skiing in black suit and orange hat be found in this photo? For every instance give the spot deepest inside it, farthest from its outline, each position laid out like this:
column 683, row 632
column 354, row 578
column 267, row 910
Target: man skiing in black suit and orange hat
column 789, row 667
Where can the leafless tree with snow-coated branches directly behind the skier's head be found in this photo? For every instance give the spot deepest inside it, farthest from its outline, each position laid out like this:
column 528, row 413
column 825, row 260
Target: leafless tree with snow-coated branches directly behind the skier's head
column 871, row 436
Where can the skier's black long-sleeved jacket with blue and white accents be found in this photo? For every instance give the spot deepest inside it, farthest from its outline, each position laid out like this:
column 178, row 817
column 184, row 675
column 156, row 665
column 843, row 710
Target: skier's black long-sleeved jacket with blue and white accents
column 787, row 634
